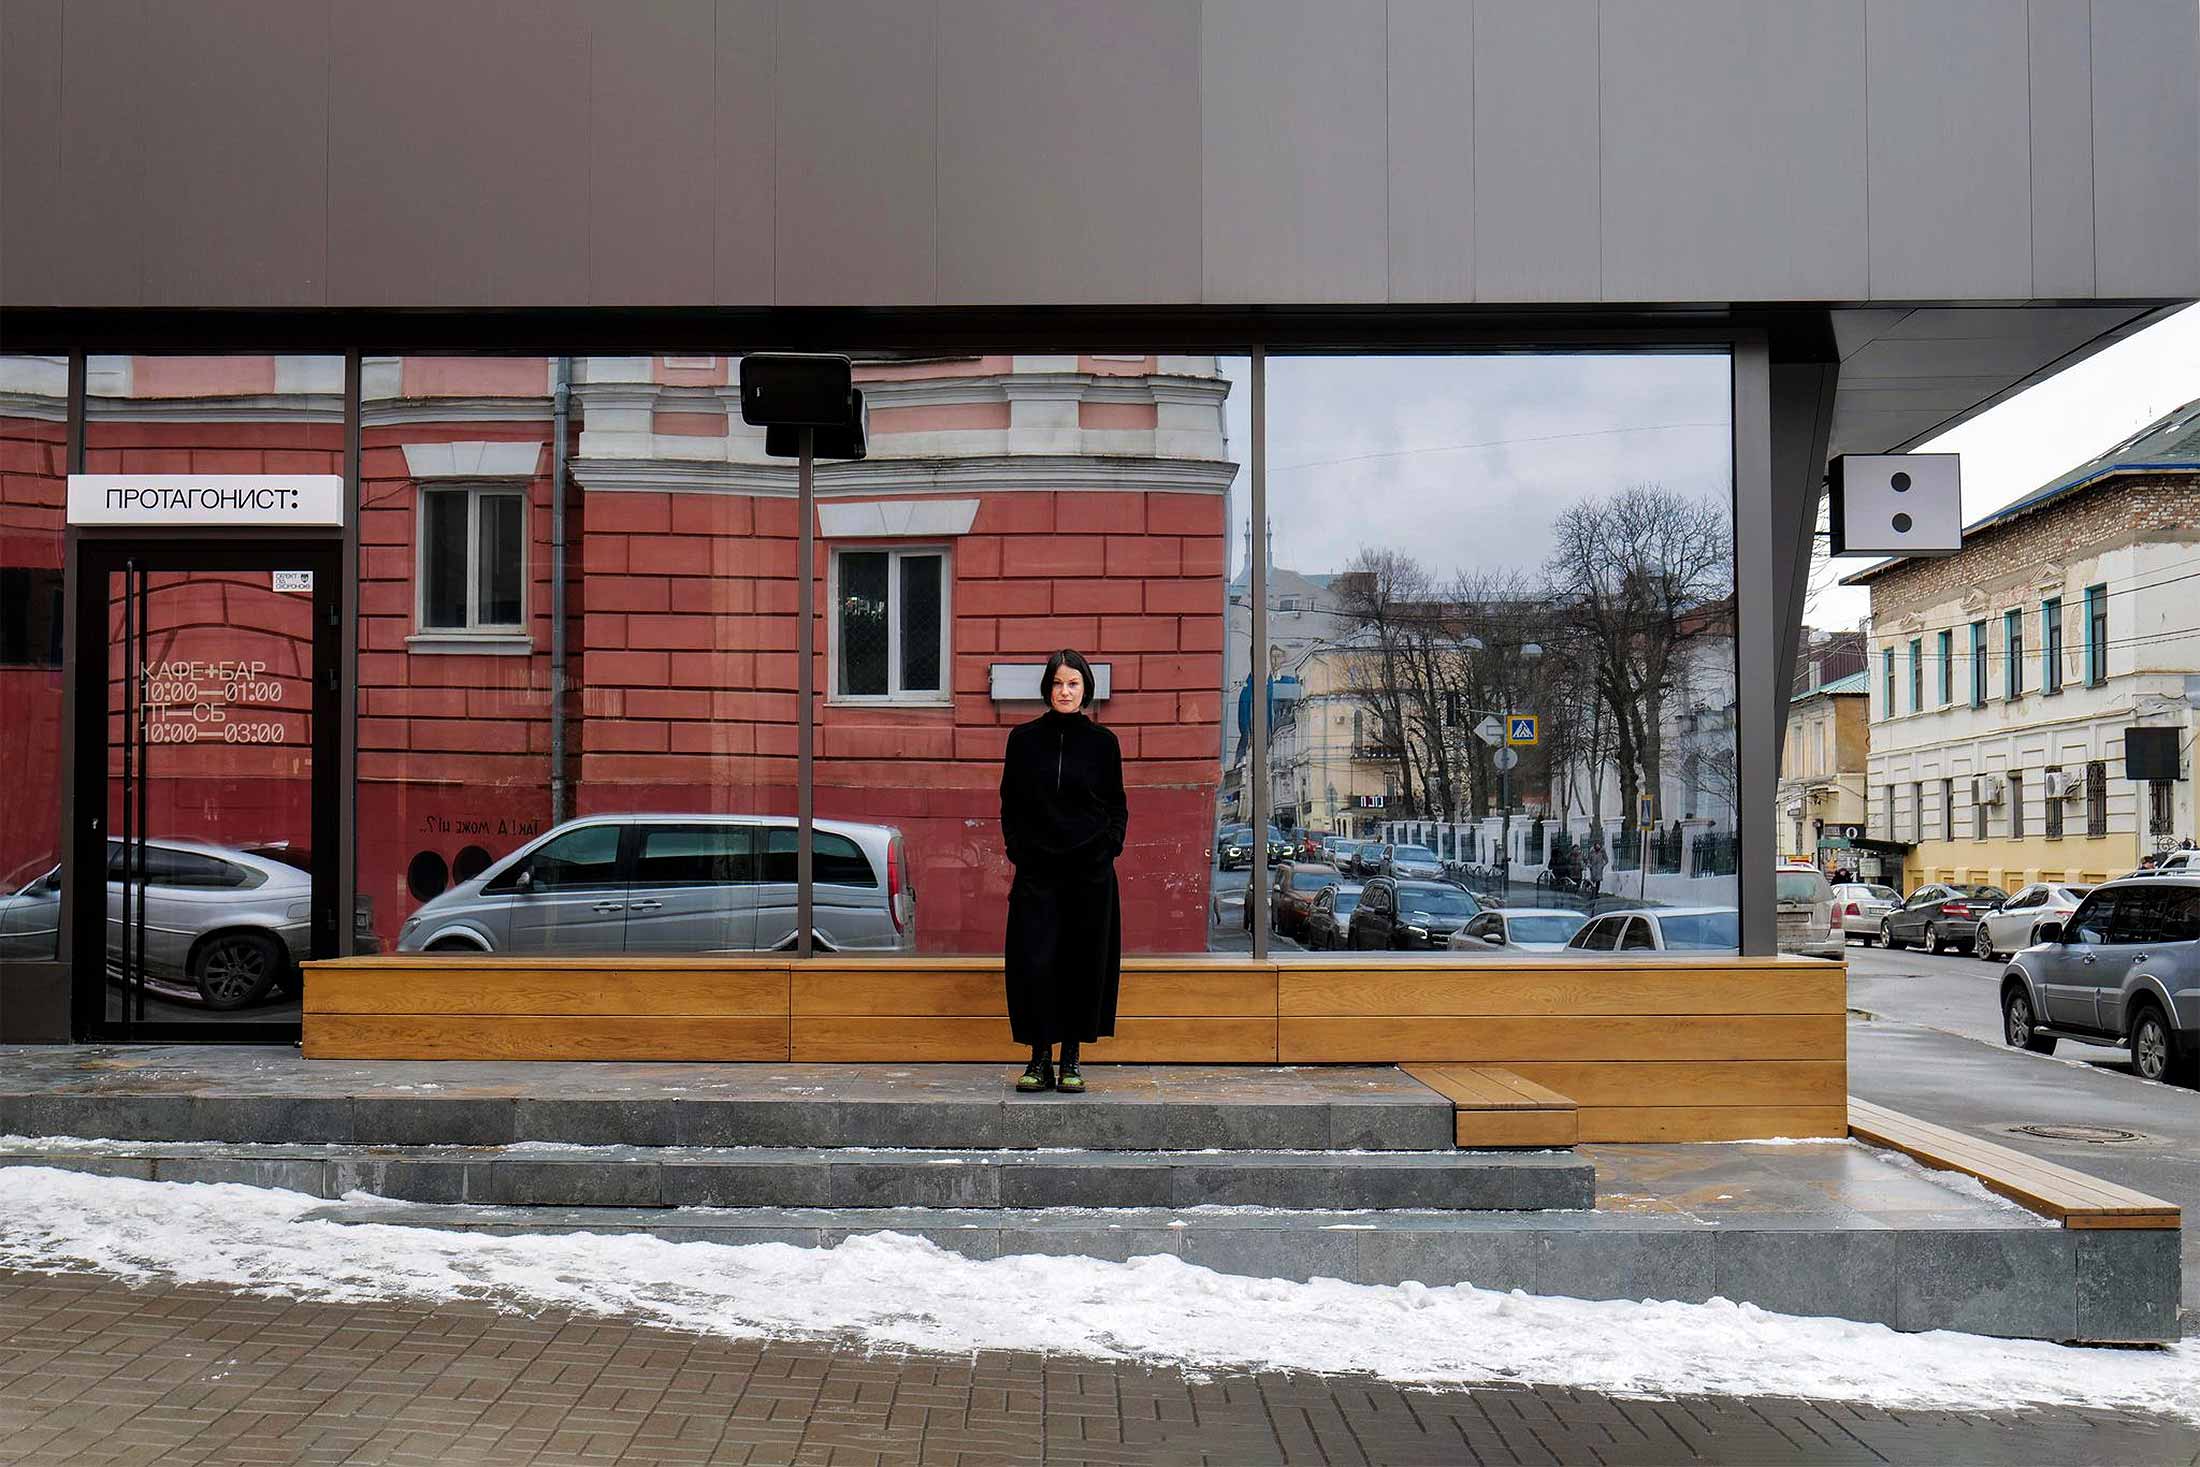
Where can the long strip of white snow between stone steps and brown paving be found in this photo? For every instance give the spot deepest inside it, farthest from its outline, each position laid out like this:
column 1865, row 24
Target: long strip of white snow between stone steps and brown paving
column 892, row 1290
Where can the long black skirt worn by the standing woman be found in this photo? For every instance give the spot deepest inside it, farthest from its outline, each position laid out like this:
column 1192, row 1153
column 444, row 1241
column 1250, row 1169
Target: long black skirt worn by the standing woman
column 1064, row 956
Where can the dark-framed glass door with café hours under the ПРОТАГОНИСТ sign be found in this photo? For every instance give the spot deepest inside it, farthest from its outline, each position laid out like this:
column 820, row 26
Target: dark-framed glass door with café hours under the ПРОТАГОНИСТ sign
column 206, row 786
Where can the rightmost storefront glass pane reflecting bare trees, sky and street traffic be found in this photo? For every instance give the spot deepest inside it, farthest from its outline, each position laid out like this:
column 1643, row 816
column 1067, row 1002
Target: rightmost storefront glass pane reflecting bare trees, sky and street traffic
column 1501, row 654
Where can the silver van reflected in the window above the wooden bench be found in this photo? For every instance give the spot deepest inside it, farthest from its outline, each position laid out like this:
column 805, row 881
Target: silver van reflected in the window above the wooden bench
column 668, row 883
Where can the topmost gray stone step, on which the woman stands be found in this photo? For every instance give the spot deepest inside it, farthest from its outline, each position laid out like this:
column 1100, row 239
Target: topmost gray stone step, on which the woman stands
column 230, row 1096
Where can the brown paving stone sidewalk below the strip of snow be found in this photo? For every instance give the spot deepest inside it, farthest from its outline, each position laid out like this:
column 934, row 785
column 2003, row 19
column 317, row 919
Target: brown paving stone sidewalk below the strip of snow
column 100, row 1371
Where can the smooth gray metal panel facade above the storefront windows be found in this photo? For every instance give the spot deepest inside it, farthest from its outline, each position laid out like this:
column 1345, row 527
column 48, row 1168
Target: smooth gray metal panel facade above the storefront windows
column 756, row 153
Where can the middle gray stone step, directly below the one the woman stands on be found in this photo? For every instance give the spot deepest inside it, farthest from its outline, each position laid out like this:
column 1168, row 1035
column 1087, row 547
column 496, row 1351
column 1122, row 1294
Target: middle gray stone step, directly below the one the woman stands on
column 542, row 1176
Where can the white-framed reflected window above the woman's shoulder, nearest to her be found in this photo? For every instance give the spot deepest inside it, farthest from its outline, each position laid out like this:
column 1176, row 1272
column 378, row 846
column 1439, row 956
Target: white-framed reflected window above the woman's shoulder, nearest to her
column 890, row 624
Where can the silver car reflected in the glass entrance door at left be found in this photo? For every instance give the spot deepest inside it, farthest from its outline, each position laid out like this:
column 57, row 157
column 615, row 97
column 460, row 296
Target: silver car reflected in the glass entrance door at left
column 223, row 925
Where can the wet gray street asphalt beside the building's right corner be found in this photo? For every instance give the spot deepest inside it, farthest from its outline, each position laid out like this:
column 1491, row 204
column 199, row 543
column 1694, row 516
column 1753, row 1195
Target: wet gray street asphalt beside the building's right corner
column 1926, row 1039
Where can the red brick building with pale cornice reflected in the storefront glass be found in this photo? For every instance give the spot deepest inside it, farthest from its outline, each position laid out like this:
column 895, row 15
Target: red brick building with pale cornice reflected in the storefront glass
column 1011, row 505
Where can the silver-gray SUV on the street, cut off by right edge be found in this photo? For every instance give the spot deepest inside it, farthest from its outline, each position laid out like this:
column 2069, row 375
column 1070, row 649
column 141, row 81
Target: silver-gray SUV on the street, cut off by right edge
column 2124, row 971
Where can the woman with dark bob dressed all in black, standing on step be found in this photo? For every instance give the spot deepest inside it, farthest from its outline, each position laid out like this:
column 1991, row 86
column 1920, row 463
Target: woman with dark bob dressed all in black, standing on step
column 1064, row 819
